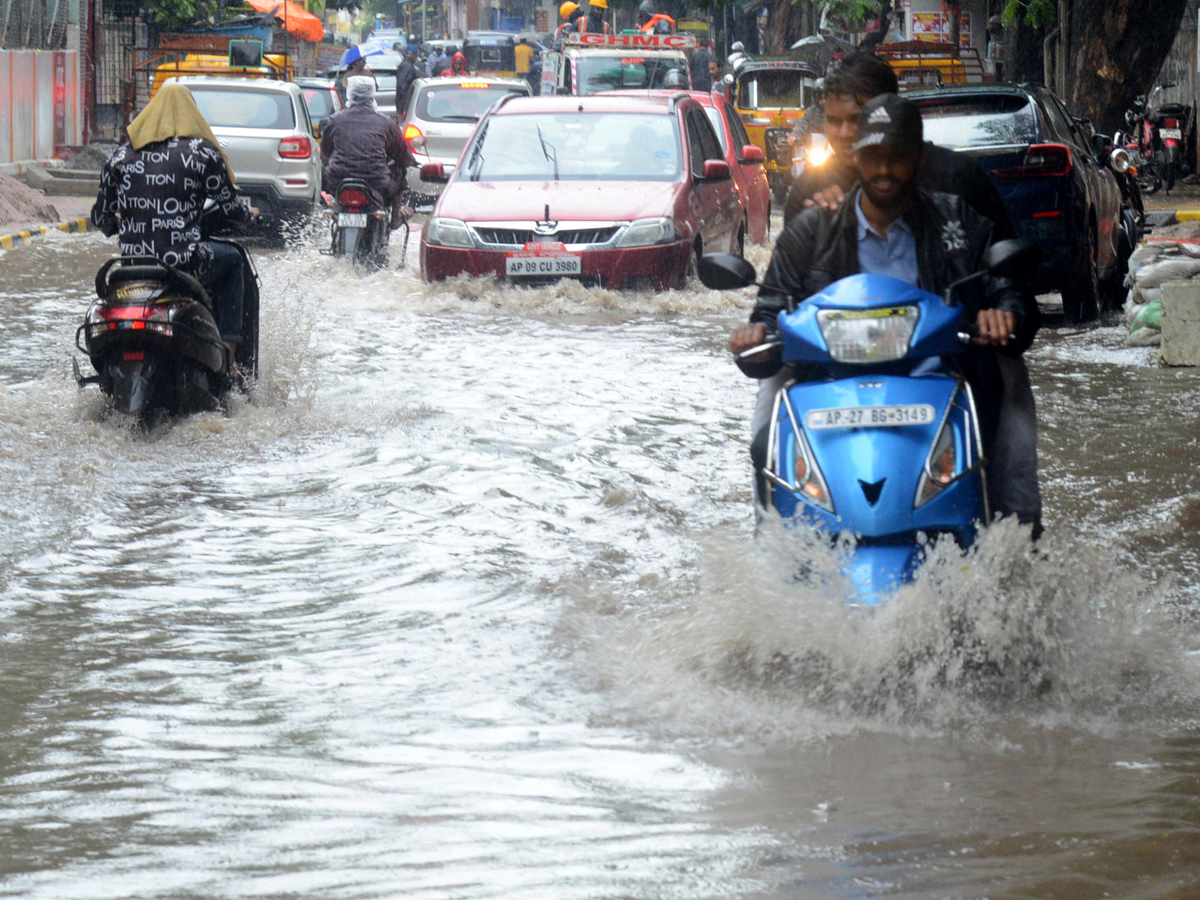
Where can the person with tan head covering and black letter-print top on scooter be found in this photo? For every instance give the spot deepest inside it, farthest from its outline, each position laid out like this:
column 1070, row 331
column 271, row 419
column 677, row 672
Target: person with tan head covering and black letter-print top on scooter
column 153, row 191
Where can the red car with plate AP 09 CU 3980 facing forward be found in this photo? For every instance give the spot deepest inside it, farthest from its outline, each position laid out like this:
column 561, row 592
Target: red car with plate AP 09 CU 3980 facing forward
column 620, row 191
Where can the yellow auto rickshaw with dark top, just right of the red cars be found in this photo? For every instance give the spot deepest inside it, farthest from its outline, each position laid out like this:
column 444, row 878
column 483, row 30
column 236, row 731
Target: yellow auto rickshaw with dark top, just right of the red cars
column 771, row 98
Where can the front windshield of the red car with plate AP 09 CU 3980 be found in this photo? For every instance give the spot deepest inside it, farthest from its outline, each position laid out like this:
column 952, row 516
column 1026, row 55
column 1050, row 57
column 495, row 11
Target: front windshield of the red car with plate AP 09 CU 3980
column 575, row 147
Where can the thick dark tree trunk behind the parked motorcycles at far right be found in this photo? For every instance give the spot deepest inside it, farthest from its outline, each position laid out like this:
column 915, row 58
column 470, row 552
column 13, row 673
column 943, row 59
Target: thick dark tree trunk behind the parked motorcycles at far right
column 1117, row 50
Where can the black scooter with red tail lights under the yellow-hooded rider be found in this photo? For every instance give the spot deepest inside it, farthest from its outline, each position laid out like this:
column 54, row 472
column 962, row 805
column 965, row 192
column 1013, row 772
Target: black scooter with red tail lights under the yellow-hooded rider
column 154, row 343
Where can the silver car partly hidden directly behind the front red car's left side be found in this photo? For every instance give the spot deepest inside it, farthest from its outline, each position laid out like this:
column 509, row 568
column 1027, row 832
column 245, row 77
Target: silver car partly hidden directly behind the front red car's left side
column 442, row 118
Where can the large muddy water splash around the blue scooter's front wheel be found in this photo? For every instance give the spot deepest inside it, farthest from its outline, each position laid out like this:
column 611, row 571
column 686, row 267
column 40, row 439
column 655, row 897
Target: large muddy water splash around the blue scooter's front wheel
column 1053, row 634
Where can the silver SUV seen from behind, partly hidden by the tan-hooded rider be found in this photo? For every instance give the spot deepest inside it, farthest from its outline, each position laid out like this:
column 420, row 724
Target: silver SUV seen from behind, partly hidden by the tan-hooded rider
column 266, row 131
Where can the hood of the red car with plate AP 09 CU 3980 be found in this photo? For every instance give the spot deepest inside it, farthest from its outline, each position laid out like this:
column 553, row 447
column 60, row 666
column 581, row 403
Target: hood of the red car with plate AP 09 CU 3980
column 568, row 201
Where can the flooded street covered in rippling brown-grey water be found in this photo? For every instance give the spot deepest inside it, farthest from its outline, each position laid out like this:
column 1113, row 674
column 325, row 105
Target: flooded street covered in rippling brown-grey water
column 466, row 603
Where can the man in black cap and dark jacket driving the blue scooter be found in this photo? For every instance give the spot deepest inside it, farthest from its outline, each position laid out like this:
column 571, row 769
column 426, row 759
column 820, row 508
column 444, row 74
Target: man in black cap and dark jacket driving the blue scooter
column 889, row 227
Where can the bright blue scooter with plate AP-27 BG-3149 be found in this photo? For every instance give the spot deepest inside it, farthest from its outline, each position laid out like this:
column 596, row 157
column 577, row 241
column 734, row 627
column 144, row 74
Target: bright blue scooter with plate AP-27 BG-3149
column 885, row 443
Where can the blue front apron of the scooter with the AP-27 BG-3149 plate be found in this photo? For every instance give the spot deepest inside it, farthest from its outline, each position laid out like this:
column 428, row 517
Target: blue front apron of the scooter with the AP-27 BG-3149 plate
column 885, row 458
